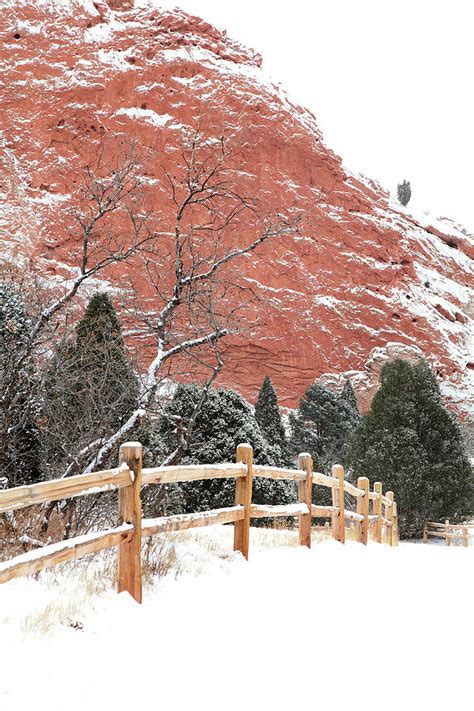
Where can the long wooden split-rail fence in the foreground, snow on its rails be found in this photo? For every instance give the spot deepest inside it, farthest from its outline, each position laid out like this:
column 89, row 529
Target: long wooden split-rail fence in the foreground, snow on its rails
column 129, row 477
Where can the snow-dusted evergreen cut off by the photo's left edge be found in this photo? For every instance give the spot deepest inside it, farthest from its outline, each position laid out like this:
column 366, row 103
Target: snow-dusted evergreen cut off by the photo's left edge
column 20, row 449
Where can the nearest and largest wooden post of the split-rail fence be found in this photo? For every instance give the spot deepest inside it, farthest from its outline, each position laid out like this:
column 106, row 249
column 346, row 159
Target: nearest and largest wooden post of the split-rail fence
column 130, row 511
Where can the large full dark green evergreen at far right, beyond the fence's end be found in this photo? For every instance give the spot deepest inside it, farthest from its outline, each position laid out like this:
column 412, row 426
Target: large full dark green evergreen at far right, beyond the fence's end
column 413, row 445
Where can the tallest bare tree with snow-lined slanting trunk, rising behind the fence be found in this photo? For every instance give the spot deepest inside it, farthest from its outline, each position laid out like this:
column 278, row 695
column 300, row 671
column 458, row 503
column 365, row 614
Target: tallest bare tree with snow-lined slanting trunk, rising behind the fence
column 195, row 300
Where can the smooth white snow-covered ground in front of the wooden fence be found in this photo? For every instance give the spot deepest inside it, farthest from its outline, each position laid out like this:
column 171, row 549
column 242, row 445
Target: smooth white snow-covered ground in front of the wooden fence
column 334, row 627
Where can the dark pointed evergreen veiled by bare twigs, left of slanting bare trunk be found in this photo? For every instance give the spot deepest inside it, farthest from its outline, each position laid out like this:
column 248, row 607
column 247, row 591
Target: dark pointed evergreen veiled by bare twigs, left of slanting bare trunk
column 91, row 388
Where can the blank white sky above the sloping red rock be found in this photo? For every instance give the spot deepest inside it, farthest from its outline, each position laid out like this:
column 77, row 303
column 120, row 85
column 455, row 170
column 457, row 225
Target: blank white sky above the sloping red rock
column 390, row 83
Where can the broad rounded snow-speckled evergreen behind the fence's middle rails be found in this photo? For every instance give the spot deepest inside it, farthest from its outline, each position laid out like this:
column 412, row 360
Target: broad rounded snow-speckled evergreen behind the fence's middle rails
column 224, row 421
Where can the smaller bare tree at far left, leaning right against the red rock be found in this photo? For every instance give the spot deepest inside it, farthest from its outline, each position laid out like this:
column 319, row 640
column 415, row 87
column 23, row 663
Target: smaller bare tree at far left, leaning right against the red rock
column 111, row 188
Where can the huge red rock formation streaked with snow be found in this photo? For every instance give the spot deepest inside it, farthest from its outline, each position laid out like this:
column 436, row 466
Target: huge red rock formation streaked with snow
column 363, row 273
